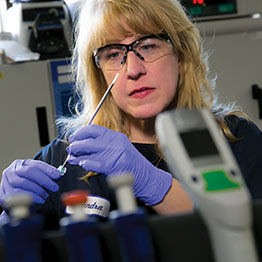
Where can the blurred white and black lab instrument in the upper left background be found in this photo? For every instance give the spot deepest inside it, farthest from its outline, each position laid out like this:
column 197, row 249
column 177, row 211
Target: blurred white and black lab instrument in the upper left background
column 41, row 26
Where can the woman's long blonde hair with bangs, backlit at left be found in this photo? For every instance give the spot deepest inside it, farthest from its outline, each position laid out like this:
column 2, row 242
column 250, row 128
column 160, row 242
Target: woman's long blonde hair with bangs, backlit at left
column 98, row 22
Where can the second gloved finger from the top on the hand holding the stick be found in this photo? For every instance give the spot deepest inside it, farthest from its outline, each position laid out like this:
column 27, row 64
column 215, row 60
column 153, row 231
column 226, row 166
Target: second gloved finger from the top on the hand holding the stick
column 85, row 147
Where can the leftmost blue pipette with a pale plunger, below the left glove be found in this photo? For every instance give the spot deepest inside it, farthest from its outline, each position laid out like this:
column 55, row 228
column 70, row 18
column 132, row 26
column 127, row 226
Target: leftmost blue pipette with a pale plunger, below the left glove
column 23, row 231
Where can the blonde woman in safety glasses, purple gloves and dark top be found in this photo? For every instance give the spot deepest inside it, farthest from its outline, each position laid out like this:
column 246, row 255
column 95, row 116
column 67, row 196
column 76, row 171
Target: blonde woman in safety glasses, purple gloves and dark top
column 157, row 52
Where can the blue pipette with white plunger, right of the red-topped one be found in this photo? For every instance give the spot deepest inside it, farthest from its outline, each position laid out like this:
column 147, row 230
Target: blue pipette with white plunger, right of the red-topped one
column 130, row 222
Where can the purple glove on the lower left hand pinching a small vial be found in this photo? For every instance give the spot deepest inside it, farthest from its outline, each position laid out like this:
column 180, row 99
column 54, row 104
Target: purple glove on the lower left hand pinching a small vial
column 33, row 177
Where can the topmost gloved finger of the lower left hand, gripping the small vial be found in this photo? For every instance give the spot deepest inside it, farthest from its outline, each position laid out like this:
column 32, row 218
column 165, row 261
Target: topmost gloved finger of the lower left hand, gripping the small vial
column 49, row 170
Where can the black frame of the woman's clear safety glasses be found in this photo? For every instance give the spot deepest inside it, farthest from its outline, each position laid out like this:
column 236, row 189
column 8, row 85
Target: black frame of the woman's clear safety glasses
column 128, row 47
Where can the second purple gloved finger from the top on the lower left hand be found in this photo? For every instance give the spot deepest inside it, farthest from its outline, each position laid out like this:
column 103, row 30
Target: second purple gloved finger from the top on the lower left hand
column 26, row 185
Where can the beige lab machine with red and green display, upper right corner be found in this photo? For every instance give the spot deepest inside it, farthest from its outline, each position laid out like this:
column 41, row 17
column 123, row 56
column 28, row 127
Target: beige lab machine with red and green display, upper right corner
column 215, row 17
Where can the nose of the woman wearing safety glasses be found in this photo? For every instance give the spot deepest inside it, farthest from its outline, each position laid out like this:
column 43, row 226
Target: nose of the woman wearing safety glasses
column 134, row 65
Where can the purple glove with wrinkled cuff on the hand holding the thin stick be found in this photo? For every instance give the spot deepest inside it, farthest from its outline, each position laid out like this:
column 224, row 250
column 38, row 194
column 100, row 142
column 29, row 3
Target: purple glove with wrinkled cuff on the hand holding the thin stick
column 102, row 150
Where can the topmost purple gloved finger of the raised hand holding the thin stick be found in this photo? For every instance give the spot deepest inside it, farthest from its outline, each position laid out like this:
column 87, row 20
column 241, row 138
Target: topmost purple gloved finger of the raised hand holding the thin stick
column 90, row 131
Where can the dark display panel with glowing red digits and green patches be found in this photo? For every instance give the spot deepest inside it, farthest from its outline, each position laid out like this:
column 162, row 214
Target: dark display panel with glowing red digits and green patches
column 210, row 7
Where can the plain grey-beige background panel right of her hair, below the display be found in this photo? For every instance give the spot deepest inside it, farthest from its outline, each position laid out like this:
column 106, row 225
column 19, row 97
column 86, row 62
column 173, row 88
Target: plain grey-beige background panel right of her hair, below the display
column 236, row 58
